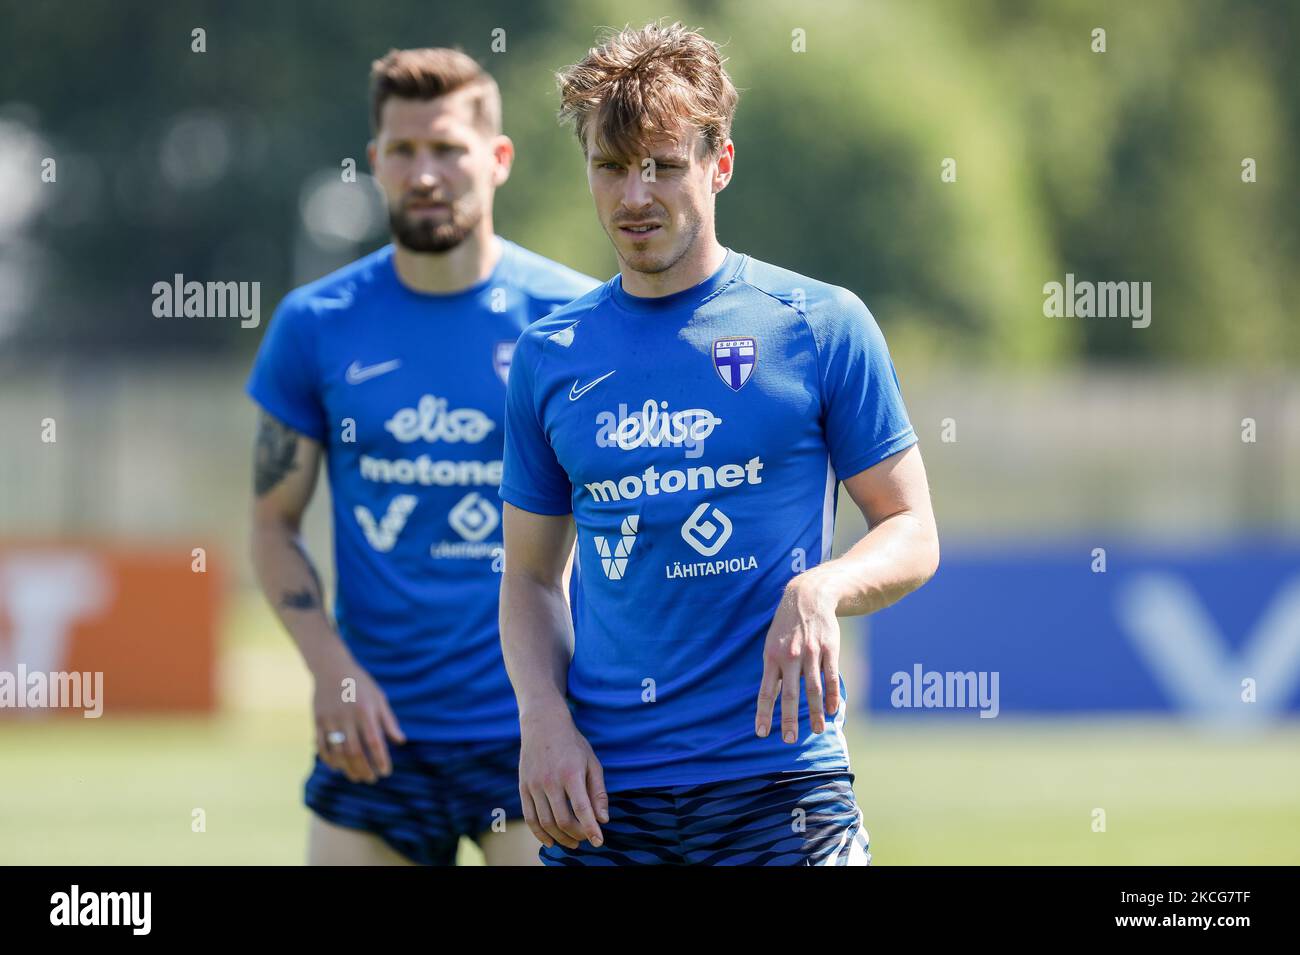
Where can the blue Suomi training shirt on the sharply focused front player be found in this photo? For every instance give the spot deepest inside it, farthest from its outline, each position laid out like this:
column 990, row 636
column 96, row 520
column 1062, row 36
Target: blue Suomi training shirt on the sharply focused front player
column 699, row 440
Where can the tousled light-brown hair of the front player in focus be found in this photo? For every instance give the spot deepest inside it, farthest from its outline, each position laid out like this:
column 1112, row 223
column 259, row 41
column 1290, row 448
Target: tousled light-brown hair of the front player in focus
column 644, row 83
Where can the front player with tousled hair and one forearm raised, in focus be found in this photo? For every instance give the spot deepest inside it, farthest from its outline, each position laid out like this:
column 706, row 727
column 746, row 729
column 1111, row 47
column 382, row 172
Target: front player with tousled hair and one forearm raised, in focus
column 691, row 422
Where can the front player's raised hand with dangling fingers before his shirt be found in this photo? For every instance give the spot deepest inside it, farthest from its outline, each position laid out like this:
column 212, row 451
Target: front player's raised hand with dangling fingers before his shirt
column 804, row 641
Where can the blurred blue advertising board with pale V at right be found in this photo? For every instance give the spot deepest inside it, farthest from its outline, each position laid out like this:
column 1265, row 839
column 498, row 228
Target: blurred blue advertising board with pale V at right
column 1211, row 633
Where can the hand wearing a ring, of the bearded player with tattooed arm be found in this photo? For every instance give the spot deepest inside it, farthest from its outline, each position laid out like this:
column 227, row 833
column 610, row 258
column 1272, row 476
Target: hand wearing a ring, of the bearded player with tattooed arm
column 363, row 720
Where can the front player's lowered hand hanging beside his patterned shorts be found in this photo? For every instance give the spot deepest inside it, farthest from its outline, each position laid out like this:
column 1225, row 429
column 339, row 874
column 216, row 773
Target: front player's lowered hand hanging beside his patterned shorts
column 561, row 782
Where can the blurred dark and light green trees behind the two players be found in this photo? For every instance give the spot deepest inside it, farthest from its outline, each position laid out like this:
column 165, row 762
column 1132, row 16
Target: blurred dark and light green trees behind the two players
column 1124, row 166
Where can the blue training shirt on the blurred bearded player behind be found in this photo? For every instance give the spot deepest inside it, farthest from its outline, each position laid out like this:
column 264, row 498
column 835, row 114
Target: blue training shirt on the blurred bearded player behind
column 406, row 392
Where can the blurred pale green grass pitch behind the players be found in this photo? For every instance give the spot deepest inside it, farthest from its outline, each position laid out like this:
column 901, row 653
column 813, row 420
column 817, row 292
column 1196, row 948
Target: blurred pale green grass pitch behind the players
column 123, row 791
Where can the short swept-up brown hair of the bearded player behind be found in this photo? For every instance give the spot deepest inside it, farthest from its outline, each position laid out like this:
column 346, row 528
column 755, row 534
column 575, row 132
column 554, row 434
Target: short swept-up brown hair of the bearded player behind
column 426, row 75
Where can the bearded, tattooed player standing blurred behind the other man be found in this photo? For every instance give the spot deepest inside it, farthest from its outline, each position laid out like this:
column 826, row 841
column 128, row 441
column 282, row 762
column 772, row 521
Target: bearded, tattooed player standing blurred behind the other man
column 395, row 370
